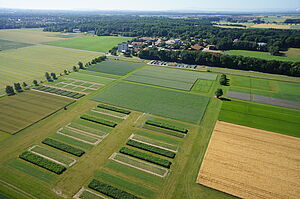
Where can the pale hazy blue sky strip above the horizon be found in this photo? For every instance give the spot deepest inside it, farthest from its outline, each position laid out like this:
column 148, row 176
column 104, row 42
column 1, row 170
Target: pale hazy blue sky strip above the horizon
column 200, row 5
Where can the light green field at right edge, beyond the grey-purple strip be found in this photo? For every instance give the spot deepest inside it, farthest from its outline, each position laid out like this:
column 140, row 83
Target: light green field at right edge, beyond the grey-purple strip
column 265, row 87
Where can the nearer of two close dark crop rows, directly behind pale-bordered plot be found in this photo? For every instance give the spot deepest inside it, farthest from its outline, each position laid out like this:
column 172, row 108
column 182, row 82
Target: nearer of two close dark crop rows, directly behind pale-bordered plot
column 146, row 157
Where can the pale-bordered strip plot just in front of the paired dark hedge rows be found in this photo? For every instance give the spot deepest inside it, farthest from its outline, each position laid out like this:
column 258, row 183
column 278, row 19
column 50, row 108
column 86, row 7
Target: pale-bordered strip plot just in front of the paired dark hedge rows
column 139, row 164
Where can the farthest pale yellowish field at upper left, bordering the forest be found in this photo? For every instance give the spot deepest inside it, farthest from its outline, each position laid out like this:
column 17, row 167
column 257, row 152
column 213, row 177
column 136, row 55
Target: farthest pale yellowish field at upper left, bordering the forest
column 34, row 35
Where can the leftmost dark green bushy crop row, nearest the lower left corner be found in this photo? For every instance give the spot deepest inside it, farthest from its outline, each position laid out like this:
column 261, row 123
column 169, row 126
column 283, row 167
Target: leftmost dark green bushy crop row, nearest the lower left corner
column 42, row 162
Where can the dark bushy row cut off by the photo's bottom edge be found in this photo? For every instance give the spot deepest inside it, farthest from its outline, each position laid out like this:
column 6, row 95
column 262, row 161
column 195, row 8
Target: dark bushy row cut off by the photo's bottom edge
column 110, row 190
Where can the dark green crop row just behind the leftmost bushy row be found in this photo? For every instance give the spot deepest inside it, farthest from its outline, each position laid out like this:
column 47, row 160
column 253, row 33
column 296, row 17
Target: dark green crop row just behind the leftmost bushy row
column 64, row 147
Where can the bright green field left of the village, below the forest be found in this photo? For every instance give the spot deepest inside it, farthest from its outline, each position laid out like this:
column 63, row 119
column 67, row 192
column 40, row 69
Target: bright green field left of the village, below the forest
column 92, row 43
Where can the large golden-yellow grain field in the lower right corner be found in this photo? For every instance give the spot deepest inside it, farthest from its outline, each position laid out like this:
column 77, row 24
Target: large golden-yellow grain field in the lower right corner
column 252, row 163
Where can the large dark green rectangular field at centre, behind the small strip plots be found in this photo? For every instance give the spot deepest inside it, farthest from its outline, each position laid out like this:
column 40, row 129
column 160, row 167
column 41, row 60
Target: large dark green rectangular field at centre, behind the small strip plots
column 173, row 104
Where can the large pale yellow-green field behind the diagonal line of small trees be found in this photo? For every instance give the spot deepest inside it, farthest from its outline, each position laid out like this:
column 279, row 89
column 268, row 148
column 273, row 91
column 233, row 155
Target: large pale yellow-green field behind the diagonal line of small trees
column 29, row 63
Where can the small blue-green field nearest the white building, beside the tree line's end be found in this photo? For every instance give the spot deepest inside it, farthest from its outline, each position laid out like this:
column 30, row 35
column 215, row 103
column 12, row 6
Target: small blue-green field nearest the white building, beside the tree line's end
column 115, row 67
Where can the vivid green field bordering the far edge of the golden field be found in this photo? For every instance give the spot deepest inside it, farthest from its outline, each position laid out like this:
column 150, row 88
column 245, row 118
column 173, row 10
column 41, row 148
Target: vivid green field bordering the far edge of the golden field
column 270, row 118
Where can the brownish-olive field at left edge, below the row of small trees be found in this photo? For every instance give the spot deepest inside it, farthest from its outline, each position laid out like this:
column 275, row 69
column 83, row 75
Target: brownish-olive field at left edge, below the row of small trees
column 24, row 109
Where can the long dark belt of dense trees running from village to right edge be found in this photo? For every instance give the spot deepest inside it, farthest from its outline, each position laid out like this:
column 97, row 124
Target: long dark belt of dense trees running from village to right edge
column 222, row 60
